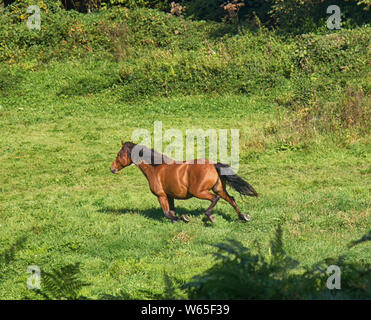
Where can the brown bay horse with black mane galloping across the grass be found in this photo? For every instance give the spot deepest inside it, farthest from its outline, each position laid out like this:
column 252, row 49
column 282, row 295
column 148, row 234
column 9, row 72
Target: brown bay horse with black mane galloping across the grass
column 169, row 179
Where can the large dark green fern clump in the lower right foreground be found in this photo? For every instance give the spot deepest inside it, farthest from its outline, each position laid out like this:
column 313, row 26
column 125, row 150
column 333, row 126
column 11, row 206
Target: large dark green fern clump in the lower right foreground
column 240, row 274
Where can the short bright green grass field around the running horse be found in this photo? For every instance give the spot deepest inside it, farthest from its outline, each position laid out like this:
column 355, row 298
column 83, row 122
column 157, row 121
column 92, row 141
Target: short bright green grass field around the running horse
column 58, row 192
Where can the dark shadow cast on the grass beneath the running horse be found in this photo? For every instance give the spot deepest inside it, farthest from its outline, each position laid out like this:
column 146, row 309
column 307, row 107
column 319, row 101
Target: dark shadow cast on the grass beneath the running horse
column 157, row 214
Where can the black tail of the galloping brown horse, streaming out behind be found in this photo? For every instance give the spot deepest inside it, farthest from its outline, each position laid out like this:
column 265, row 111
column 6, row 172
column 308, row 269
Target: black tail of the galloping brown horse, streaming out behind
column 227, row 175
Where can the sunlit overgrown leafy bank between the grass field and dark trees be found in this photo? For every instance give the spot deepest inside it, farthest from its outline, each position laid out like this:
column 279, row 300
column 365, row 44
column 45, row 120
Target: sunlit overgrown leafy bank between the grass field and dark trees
column 145, row 53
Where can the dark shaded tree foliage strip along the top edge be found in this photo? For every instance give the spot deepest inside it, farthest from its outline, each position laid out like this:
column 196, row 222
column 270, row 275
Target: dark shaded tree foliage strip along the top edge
column 296, row 16
